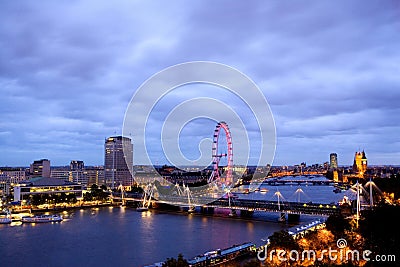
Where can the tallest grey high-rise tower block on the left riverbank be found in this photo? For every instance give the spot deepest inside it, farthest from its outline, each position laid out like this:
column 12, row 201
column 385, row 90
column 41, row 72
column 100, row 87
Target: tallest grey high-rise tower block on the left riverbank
column 118, row 161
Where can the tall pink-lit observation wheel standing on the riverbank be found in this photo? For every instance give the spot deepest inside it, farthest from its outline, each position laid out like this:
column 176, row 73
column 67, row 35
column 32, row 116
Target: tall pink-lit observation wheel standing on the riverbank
column 229, row 154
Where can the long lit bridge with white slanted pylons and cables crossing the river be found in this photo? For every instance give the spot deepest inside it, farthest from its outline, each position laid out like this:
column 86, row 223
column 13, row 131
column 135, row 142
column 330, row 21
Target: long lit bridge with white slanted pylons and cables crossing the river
column 184, row 197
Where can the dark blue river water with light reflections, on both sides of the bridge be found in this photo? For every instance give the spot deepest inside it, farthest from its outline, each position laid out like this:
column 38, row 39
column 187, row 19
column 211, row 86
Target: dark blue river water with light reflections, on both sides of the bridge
column 118, row 236
